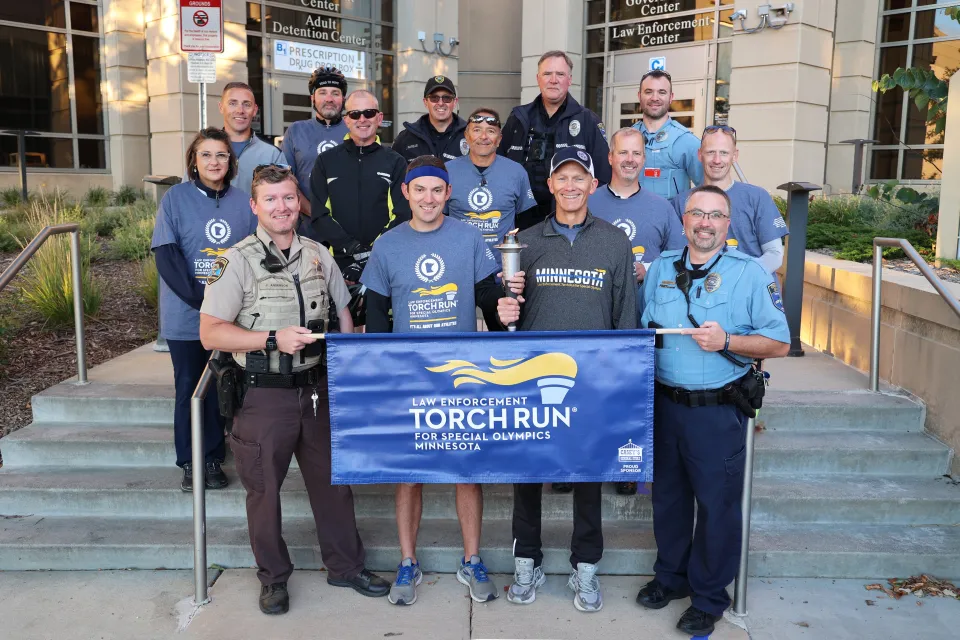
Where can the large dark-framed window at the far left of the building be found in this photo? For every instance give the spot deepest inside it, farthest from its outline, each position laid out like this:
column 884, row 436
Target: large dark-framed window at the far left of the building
column 50, row 84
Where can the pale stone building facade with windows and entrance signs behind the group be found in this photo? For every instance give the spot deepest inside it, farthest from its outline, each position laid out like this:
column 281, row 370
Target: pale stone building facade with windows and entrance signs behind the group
column 102, row 85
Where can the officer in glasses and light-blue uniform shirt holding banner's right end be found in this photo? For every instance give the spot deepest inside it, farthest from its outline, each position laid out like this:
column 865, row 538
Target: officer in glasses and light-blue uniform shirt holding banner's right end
column 706, row 386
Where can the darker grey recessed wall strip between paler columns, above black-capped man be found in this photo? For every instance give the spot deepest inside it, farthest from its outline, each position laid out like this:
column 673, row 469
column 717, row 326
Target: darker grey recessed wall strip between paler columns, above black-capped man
column 490, row 66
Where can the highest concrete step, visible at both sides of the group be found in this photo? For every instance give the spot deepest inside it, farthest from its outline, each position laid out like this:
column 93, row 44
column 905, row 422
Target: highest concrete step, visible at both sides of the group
column 783, row 410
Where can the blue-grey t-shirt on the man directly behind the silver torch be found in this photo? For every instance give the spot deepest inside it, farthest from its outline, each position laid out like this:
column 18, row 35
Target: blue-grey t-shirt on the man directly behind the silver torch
column 490, row 201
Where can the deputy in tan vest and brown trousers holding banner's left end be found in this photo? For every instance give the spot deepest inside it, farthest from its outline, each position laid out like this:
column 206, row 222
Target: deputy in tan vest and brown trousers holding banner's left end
column 259, row 298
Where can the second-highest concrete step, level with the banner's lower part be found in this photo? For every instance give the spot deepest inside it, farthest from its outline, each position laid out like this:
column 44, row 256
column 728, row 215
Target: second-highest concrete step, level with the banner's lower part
column 92, row 444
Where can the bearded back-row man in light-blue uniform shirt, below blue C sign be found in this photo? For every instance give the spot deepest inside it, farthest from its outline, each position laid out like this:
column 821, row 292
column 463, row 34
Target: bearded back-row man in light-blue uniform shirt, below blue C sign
column 672, row 162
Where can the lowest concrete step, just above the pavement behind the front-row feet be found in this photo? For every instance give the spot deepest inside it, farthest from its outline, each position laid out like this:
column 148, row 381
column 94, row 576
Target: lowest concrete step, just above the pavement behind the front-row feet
column 34, row 543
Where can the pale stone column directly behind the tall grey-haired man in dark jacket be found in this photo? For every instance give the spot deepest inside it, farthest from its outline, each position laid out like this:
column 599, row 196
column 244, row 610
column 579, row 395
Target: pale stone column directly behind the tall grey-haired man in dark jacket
column 548, row 25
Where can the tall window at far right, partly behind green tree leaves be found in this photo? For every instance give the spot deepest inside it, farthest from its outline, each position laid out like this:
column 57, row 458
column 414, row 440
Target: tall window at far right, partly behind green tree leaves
column 913, row 33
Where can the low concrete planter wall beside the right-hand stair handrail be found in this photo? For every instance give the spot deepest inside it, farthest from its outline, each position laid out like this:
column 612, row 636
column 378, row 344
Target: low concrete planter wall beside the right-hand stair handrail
column 919, row 334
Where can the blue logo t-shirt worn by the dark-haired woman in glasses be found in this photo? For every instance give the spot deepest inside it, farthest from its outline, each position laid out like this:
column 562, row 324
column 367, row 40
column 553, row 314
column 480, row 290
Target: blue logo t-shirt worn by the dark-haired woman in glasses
column 203, row 229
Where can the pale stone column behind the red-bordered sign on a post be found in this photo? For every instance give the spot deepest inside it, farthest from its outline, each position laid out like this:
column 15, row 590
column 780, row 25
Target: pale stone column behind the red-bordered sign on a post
column 174, row 101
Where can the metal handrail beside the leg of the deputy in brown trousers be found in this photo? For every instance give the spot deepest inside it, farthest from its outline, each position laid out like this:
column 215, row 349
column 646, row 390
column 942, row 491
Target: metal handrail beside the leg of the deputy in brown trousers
column 199, row 486
